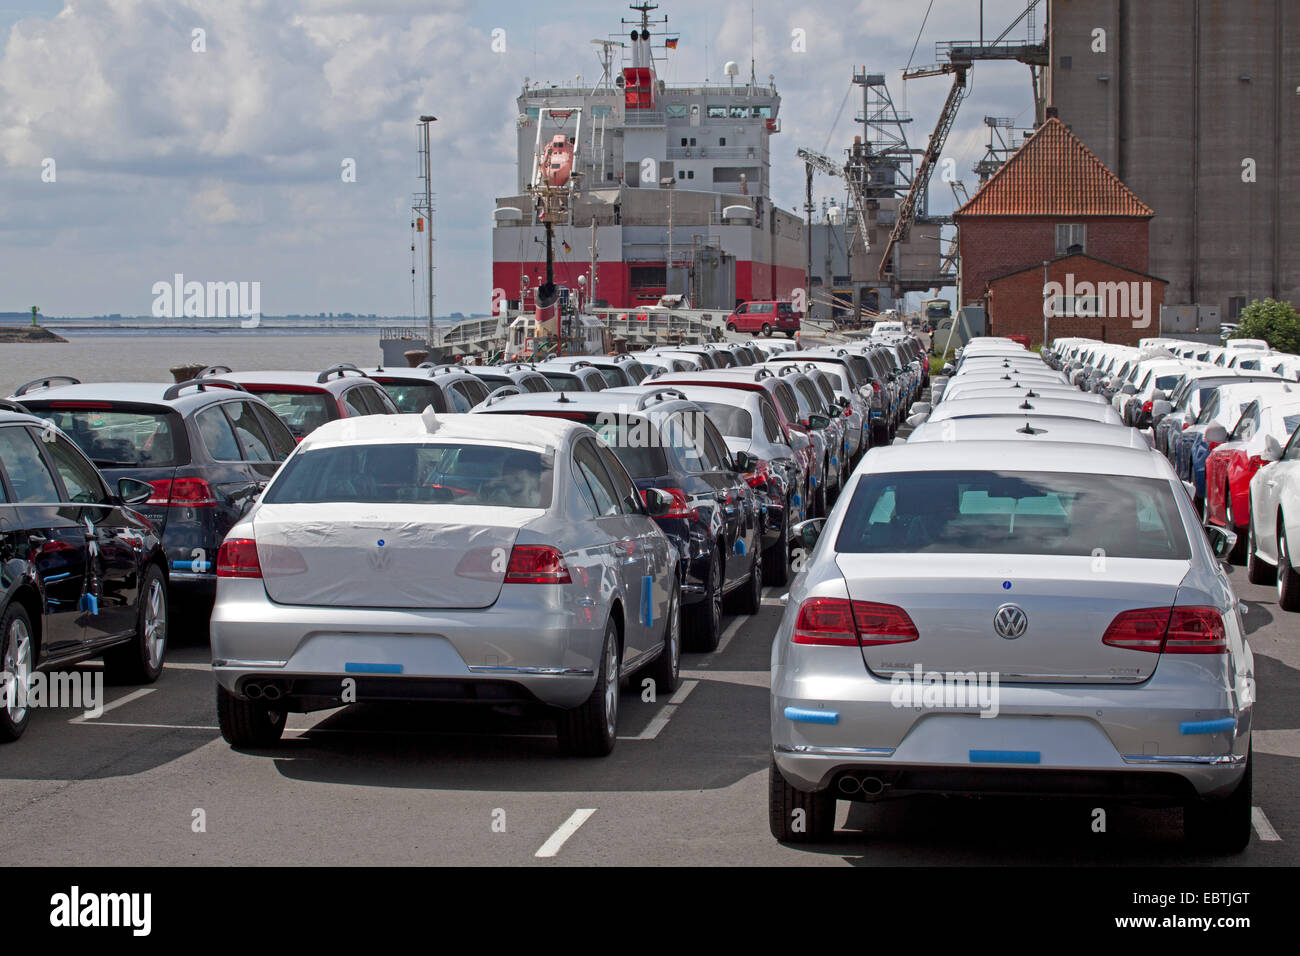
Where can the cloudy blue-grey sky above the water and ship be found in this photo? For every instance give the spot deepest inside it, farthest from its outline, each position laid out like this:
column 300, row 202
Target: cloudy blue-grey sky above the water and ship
column 226, row 165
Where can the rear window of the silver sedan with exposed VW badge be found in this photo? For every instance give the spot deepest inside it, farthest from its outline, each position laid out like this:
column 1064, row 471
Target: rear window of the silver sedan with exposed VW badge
column 1015, row 513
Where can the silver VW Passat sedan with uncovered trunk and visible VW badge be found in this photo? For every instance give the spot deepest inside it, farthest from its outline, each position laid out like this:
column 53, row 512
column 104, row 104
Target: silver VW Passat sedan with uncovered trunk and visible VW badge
column 1017, row 618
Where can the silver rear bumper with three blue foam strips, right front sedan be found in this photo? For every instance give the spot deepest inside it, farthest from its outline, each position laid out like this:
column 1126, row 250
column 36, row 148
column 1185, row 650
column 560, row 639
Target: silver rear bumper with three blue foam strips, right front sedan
column 1175, row 737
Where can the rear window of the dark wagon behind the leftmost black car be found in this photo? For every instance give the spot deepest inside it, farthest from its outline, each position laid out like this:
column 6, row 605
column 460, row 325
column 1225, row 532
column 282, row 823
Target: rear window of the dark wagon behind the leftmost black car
column 123, row 439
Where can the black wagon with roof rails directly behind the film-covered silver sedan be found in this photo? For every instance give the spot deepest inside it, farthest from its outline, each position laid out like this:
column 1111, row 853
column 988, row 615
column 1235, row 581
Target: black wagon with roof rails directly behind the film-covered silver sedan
column 716, row 522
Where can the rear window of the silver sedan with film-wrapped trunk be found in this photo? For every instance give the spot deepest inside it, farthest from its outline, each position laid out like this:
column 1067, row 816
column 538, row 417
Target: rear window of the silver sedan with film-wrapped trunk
column 426, row 474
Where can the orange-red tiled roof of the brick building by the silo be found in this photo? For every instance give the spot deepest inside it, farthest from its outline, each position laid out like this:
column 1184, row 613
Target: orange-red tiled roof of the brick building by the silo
column 1055, row 175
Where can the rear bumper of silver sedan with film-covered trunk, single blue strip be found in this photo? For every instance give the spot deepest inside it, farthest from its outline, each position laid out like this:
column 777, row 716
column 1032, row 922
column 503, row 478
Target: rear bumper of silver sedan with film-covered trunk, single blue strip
column 544, row 644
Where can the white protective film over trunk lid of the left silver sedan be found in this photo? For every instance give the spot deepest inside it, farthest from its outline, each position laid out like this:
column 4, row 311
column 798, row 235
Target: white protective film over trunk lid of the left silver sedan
column 387, row 556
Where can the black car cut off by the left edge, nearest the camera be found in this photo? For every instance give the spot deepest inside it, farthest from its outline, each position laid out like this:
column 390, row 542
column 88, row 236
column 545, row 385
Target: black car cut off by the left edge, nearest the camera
column 81, row 574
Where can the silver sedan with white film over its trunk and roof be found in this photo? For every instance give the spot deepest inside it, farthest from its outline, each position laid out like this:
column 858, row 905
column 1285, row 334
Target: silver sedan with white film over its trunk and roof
column 487, row 560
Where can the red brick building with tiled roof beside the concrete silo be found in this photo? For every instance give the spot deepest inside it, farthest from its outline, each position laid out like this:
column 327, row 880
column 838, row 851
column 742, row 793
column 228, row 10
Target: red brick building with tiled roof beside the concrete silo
column 1055, row 202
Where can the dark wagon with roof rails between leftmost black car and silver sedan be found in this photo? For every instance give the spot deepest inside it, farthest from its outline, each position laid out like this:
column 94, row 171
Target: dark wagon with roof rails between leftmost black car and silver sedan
column 207, row 448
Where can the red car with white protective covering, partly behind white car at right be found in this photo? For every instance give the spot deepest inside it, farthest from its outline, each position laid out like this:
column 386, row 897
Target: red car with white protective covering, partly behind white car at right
column 1230, row 466
